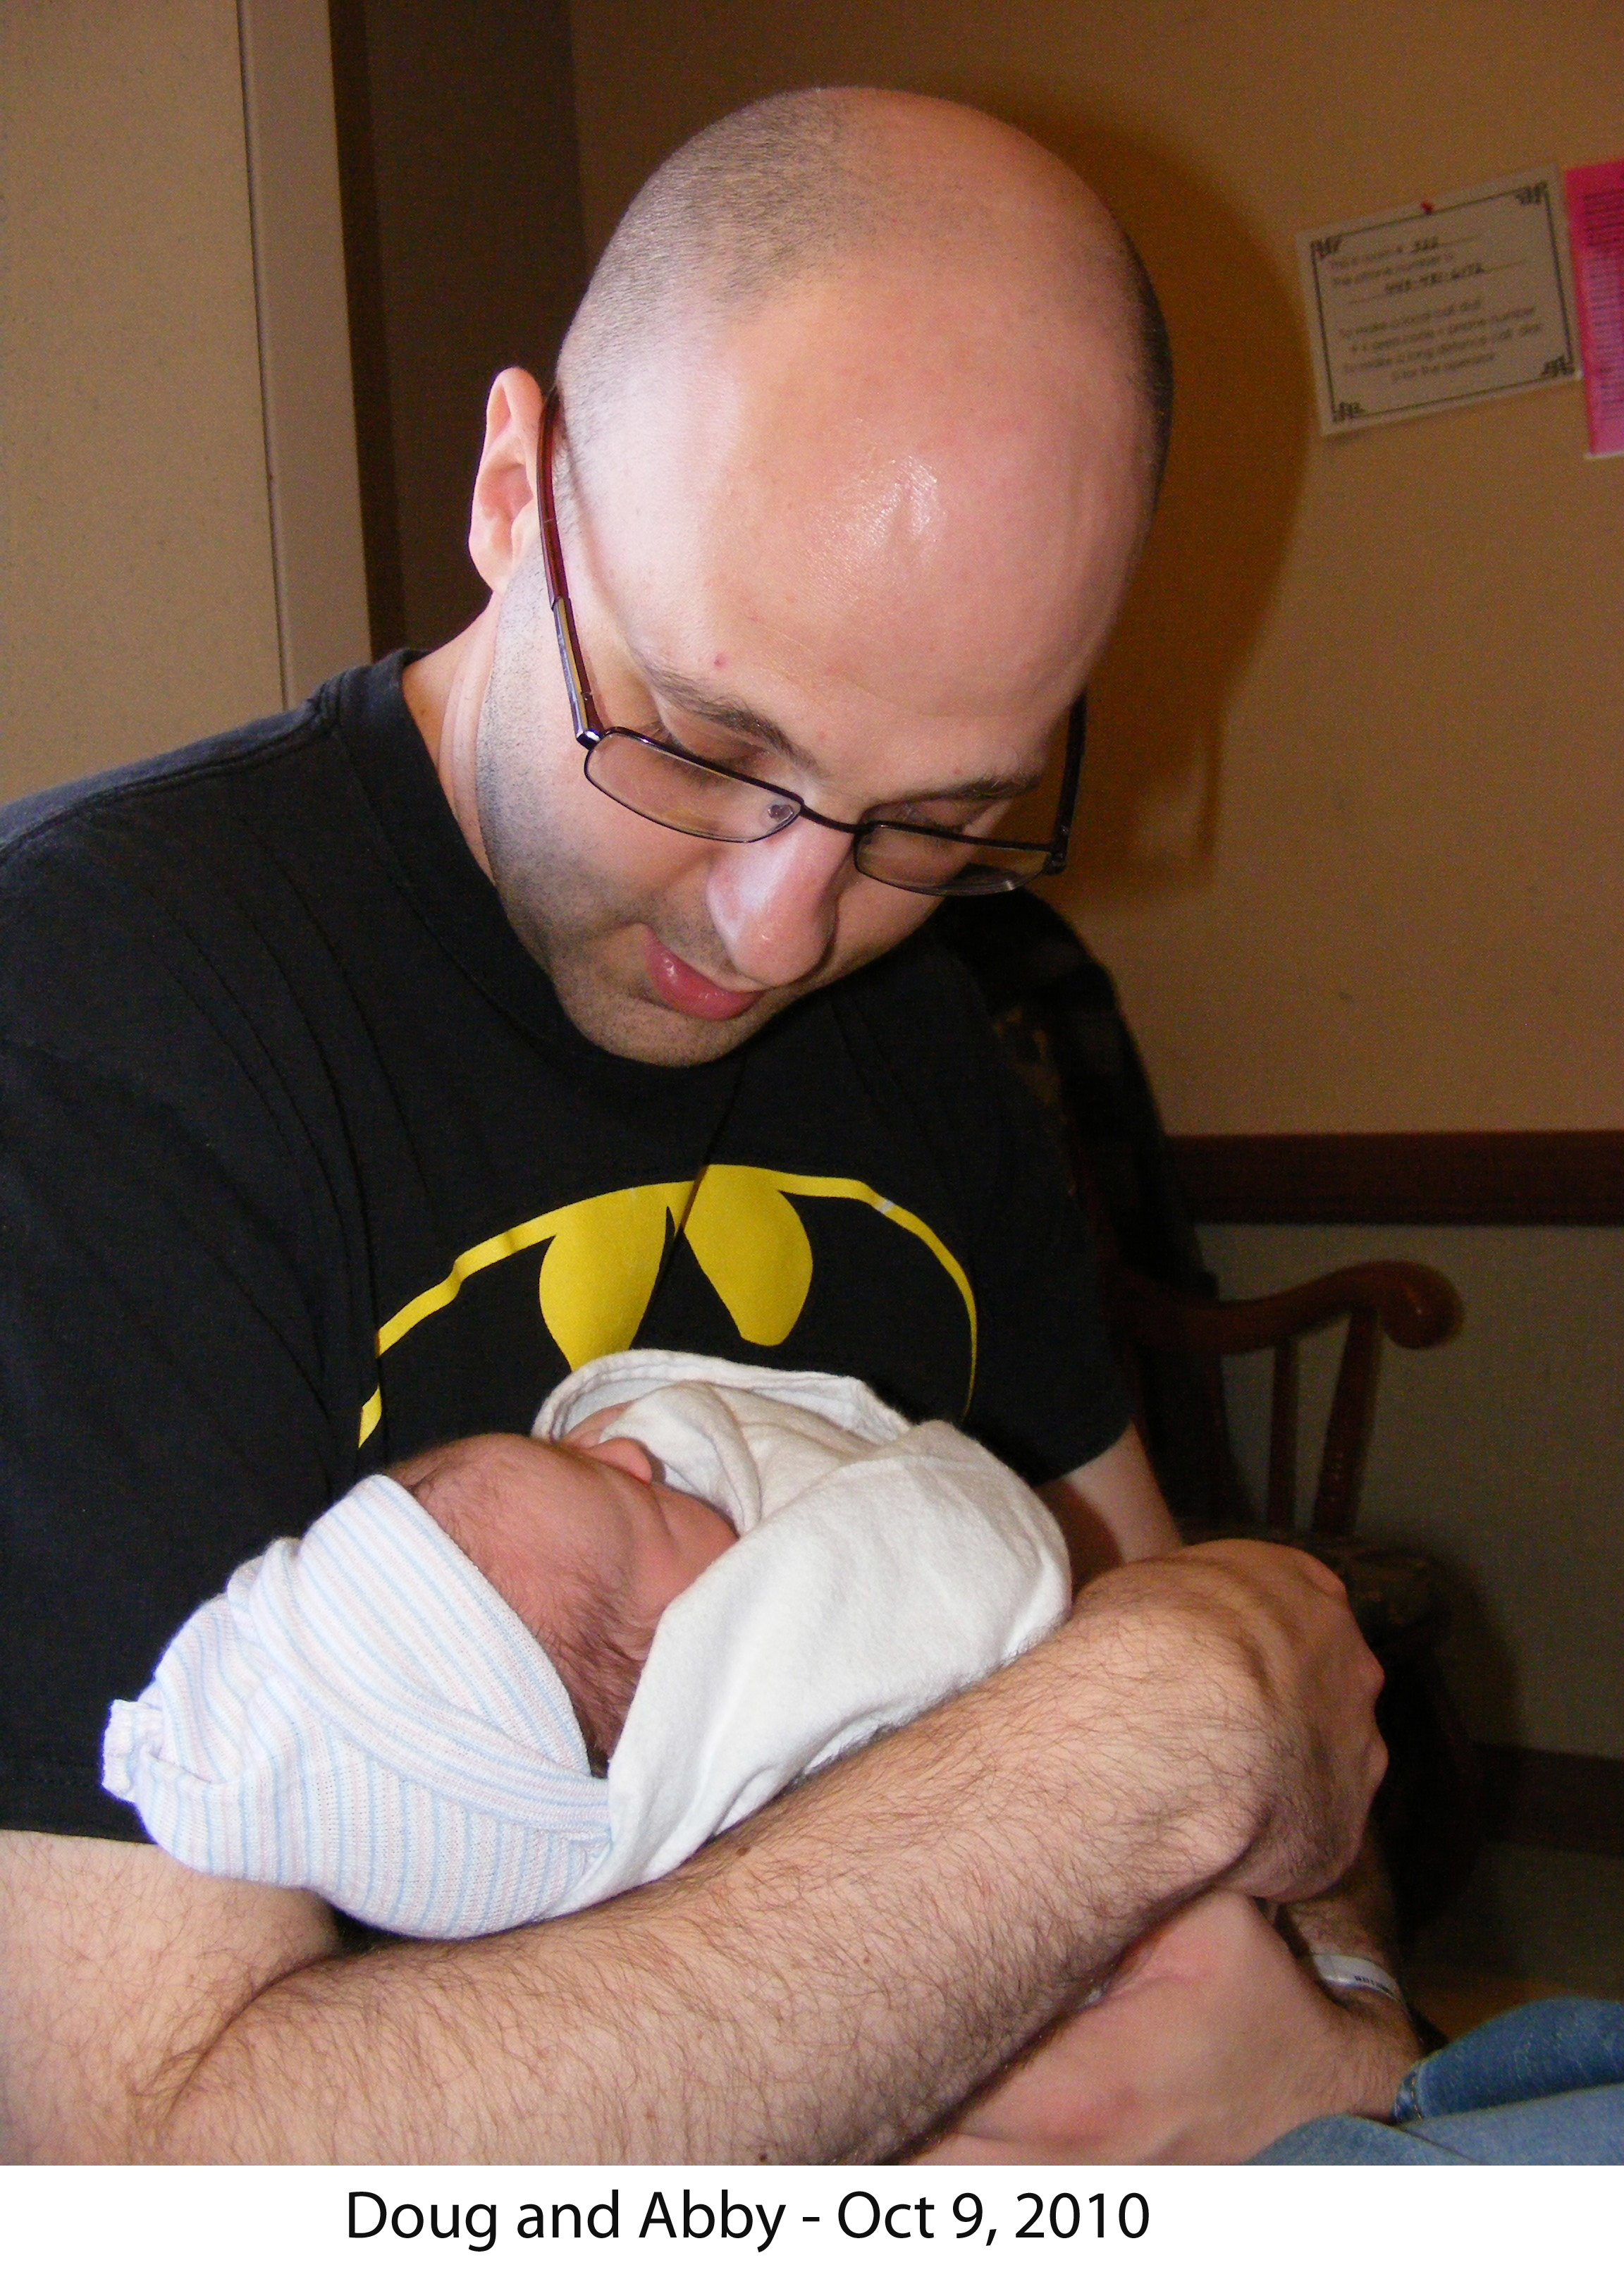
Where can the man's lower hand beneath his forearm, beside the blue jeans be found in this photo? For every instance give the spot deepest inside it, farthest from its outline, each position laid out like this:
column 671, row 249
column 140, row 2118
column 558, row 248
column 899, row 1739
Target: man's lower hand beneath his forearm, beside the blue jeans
column 1209, row 2043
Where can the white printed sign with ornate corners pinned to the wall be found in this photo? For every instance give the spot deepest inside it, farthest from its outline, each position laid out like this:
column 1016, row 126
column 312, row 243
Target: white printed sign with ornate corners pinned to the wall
column 1440, row 305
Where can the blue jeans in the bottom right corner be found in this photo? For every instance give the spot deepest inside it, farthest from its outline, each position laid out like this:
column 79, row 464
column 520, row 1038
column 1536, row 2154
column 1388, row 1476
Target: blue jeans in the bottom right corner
column 1543, row 2086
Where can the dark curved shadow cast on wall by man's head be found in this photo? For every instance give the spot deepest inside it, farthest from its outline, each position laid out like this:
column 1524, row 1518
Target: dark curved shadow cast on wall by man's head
column 1244, row 419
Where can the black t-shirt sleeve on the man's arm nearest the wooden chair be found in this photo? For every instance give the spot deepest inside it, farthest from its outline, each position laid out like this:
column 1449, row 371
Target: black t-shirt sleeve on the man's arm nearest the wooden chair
column 1050, row 1394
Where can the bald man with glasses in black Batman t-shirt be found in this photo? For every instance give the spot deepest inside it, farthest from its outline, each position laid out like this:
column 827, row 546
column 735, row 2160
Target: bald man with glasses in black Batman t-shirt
column 561, row 990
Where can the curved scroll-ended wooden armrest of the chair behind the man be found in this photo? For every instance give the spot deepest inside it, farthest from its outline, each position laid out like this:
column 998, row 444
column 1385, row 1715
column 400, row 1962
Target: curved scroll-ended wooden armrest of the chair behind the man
column 1417, row 1308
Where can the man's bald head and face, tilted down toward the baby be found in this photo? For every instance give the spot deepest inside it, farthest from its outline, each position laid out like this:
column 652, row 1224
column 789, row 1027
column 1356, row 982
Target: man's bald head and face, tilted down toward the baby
column 860, row 437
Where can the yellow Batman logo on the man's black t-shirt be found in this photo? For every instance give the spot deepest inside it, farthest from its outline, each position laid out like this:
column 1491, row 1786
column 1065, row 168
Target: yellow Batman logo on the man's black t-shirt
column 604, row 1260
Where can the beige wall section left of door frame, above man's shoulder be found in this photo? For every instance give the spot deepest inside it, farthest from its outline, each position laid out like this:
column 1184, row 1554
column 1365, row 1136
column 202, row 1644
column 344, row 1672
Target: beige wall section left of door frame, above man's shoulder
column 136, row 565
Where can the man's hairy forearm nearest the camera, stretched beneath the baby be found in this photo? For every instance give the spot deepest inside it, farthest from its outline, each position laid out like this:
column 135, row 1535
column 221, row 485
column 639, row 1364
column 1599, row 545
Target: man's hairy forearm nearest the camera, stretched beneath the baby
column 819, row 1986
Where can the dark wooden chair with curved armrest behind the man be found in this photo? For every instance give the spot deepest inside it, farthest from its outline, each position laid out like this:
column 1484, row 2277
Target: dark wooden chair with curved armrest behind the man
column 1061, row 1022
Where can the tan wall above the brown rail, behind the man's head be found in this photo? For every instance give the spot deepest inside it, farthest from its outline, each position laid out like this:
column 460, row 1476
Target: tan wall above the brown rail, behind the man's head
column 1356, row 823
